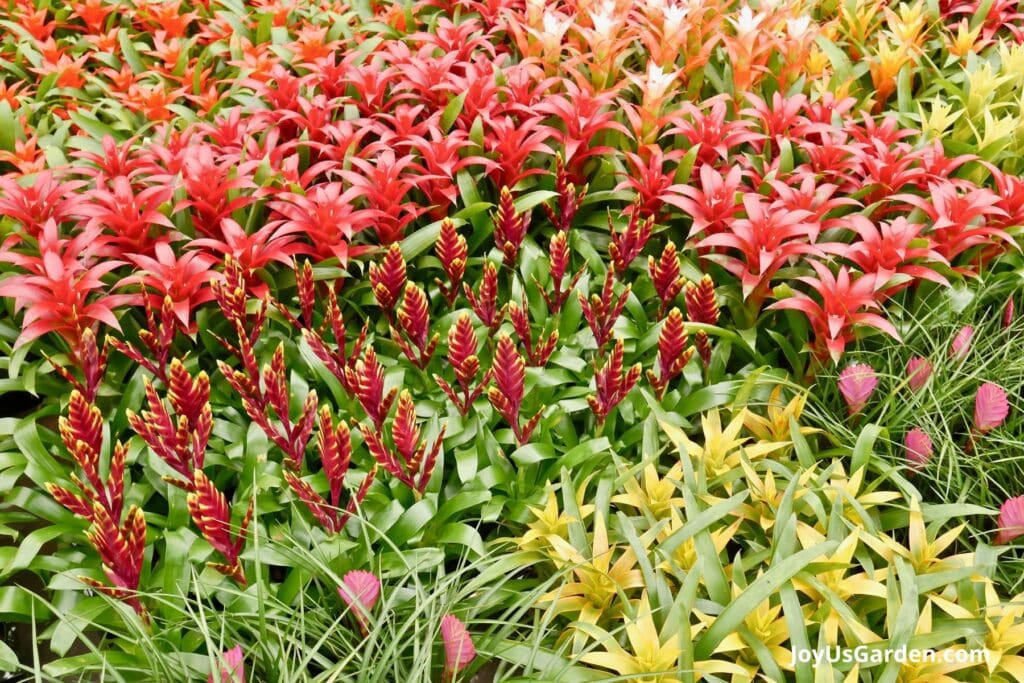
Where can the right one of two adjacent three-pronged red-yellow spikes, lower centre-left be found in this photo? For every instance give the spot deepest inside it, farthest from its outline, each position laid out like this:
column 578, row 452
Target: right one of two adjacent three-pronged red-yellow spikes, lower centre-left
column 414, row 464
